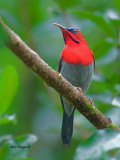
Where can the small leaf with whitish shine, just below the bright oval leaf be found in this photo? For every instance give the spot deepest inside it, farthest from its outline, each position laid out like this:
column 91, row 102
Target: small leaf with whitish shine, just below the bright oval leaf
column 7, row 119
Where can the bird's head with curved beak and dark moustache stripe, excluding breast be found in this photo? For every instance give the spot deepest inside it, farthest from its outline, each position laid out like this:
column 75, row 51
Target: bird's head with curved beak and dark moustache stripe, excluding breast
column 71, row 36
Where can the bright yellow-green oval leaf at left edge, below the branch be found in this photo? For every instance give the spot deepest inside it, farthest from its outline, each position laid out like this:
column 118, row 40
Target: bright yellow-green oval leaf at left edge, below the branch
column 8, row 87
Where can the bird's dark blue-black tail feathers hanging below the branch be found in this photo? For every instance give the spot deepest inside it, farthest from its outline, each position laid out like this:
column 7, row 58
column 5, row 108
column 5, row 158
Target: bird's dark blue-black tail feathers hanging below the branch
column 67, row 128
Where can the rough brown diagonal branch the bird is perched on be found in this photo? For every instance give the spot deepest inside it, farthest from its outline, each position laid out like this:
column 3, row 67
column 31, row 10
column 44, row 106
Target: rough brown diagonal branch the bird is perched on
column 54, row 79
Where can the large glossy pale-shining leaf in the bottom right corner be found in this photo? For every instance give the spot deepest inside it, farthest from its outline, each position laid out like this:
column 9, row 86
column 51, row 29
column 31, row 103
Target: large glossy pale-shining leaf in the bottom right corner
column 100, row 142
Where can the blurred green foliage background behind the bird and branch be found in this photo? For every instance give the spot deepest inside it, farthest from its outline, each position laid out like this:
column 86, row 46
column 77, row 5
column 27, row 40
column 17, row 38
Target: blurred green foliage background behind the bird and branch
column 30, row 111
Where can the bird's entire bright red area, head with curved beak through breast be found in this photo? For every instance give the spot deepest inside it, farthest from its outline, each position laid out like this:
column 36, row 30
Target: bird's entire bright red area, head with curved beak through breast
column 76, row 50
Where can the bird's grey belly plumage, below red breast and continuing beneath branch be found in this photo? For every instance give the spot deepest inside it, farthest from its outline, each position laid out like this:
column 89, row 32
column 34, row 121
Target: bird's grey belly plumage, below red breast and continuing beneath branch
column 78, row 76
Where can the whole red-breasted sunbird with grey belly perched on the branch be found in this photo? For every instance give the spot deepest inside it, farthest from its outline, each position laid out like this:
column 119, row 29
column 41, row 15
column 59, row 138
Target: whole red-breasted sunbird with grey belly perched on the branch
column 76, row 65
